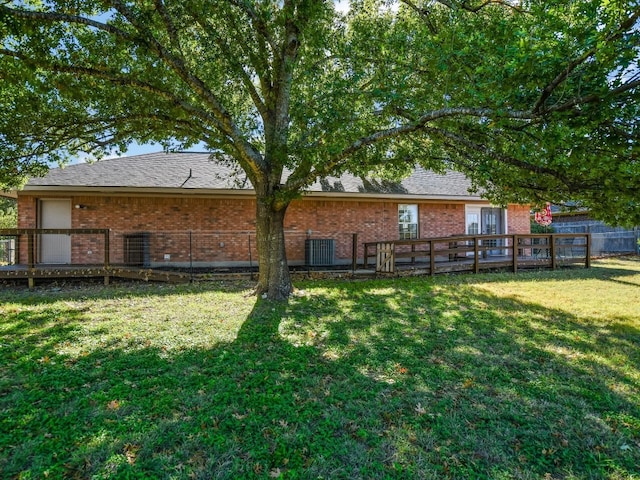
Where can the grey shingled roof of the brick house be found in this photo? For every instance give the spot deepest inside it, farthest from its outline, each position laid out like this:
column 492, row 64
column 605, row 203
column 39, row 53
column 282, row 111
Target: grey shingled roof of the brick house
column 197, row 173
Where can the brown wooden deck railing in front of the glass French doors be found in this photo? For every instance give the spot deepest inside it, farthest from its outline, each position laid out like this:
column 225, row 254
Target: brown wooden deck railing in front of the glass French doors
column 479, row 252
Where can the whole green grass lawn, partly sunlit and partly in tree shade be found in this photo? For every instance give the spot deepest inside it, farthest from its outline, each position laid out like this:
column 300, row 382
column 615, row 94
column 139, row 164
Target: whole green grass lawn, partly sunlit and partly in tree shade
column 535, row 375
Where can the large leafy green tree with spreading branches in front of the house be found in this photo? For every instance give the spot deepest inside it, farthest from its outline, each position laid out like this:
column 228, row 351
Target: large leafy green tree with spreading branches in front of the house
column 535, row 100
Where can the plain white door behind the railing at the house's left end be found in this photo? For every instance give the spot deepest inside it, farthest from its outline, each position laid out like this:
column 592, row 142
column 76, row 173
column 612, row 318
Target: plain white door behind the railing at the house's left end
column 55, row 248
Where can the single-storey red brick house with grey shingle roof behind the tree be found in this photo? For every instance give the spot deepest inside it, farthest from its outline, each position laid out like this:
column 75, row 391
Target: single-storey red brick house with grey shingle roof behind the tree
column 185, row 208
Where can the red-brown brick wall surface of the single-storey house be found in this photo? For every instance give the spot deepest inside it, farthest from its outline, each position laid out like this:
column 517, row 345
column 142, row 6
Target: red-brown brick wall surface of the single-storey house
column 223, row 230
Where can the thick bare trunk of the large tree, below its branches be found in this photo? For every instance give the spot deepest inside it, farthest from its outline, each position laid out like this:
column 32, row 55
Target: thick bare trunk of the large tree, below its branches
column 274, row 280
